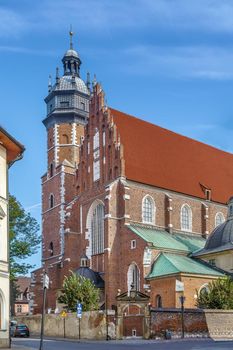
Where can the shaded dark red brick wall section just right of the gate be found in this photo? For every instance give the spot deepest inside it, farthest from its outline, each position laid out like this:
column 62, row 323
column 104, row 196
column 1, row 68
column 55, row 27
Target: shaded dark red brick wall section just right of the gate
column 170, row 319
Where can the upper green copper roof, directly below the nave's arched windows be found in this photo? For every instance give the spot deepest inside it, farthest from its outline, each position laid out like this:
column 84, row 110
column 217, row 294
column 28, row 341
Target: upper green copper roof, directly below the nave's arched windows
column 162, row 239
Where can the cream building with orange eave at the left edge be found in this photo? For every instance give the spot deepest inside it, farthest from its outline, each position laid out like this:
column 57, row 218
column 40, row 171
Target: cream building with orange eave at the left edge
column 10, row 151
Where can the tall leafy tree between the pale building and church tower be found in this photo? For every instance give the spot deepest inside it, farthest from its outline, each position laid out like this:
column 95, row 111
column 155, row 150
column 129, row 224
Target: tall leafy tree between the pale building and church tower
column 24, row 238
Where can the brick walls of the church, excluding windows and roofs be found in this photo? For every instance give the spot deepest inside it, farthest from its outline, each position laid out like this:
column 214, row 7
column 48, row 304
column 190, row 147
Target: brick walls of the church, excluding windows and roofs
column 123, row 205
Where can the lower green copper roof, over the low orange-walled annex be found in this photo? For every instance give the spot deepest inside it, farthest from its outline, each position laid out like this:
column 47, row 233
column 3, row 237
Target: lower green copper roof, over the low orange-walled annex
column 168, row 264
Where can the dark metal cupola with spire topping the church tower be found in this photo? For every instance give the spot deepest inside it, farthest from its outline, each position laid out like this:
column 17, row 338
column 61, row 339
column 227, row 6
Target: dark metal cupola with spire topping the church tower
column 68, row 97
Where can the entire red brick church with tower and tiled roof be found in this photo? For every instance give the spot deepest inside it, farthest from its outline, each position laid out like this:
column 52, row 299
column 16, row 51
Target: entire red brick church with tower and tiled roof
column 125, row 202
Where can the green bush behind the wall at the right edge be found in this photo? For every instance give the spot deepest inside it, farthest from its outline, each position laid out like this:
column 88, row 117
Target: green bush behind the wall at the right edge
column 219, row 295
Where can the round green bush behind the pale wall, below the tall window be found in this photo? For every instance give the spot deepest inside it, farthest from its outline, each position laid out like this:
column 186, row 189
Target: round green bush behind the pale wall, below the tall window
column 78, row 288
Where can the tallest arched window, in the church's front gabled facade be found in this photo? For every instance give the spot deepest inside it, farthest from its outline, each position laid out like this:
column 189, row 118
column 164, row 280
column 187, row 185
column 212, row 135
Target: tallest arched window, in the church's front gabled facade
column 97, row 230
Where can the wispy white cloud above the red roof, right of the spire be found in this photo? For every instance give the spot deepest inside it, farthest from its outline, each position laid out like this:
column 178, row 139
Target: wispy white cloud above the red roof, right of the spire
column 196, row 62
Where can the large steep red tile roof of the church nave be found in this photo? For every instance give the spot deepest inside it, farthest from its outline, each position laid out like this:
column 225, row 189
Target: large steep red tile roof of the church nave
column 162, row 158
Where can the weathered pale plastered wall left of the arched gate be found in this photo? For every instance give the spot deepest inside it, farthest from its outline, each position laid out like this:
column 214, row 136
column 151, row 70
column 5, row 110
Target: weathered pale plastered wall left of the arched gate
column 92, row 325
